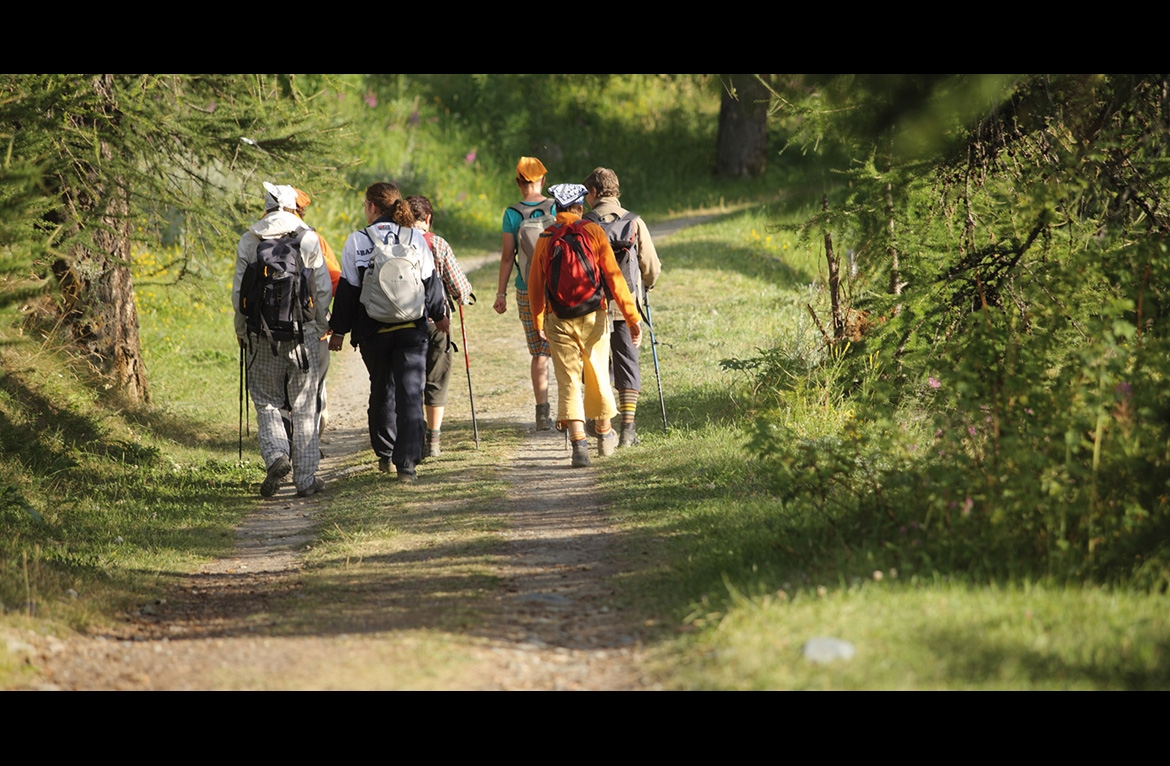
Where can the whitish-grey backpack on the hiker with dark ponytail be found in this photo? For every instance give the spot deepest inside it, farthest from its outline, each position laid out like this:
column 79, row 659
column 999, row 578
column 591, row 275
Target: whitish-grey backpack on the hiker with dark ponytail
column 393, row 289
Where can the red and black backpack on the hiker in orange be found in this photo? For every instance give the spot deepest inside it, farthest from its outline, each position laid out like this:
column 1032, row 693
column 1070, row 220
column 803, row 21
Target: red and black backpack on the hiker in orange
column 574, row 281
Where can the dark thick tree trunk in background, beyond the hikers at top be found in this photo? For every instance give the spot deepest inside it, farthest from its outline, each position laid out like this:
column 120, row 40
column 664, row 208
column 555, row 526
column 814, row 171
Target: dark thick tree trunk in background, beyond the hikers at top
column 742, row 144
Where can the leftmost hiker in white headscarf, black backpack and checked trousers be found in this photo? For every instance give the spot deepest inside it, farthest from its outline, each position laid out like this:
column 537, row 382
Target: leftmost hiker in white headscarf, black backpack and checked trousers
column 281, row 296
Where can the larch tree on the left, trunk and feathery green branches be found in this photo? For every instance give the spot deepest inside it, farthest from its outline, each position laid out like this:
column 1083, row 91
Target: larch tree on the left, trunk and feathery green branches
column 127, row 157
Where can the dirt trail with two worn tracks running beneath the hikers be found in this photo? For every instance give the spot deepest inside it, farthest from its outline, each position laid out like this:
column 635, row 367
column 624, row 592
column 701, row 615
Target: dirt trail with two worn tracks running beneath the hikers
column 554, row 624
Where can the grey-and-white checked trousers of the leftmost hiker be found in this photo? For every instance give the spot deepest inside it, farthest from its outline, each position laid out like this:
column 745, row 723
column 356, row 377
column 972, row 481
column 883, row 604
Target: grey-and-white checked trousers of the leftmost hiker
column 279, row 383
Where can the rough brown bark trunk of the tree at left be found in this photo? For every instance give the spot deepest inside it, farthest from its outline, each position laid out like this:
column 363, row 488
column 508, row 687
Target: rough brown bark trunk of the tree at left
column 97, row 284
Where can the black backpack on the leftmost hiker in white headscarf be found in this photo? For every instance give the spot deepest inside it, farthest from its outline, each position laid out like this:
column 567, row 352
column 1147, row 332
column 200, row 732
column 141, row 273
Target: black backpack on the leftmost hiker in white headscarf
column 277, row 295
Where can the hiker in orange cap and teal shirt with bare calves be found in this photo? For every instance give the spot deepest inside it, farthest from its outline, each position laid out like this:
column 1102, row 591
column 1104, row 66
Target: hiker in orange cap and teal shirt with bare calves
column 522, row 225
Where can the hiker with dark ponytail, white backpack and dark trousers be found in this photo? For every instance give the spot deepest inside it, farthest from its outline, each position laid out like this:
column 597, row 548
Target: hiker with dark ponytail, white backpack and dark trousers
column 388, row 292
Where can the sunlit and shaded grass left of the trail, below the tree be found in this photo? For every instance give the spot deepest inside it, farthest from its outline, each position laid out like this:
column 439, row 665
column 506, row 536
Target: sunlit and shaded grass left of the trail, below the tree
column 104, row 507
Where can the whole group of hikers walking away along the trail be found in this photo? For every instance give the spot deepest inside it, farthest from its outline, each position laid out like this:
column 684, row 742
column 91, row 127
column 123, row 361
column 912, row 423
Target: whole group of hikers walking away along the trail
column 580, row 282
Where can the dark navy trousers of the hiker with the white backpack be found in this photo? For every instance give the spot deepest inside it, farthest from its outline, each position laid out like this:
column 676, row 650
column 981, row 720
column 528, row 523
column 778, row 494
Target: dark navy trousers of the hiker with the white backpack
column 397, row 363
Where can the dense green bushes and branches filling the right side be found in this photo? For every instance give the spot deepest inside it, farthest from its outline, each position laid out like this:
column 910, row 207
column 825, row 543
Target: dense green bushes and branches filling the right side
column 1010, row 397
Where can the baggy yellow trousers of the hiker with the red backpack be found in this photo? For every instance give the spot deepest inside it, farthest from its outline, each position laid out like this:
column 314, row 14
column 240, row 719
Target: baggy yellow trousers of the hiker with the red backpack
column 581, row 358
